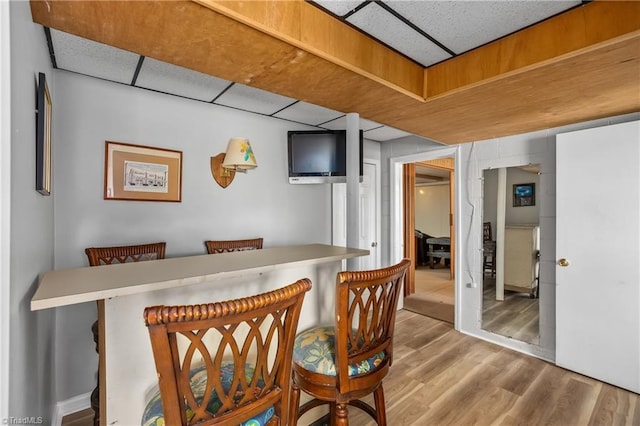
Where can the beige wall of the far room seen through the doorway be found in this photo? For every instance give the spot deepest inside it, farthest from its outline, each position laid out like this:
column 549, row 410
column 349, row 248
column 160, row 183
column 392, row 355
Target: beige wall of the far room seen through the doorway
column 432, row 210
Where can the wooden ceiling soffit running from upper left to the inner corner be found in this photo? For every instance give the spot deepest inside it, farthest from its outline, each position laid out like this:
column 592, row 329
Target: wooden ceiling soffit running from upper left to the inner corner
column 187, row 34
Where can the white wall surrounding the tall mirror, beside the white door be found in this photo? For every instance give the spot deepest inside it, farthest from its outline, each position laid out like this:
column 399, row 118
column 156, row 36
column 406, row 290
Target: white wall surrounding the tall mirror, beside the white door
column 535, row 147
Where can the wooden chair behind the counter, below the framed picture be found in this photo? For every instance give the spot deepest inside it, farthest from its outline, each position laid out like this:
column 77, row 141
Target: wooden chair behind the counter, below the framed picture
column 107, row 256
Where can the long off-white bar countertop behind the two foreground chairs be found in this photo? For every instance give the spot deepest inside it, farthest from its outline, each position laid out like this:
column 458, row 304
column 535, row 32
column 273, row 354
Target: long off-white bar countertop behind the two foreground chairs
column 69, row 286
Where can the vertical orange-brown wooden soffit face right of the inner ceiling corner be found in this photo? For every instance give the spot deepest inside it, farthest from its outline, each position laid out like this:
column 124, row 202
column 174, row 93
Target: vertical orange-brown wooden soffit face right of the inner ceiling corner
column 591, row 26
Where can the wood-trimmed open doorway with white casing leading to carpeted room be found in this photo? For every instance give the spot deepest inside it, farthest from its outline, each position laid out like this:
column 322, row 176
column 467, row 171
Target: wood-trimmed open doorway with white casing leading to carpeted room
column 430, row 286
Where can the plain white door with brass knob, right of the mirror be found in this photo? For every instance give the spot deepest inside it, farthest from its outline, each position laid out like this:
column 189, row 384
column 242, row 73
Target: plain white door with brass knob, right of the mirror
column 598, row 242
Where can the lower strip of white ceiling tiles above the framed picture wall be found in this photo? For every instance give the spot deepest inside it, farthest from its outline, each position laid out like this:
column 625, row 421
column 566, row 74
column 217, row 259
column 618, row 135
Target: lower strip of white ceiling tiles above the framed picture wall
column 83, row 56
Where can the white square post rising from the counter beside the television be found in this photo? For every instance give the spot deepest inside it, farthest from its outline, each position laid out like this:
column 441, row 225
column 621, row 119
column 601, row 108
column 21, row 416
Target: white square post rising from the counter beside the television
column 353, row 185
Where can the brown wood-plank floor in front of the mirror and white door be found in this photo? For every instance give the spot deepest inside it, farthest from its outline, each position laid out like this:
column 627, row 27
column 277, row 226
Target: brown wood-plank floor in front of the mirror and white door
column 441, row 377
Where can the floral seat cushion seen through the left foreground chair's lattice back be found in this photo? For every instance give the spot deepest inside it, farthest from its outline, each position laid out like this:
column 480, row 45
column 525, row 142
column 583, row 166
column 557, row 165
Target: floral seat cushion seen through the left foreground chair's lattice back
column 153, row 415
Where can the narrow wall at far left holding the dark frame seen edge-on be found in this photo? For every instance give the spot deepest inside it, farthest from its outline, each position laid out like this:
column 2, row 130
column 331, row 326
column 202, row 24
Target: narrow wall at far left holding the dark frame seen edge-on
column 32, row 333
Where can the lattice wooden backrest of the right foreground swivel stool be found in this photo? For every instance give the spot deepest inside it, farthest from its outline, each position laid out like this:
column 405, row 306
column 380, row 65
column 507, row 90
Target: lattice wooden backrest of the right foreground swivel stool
column 366, row 304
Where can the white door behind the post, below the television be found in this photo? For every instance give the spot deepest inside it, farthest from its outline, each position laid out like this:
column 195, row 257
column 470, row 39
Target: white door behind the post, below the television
column 368, row 234
